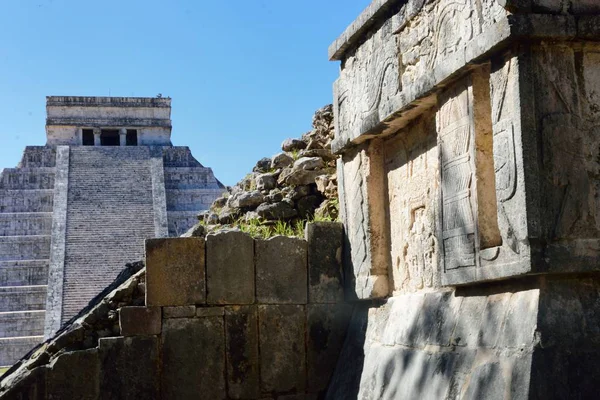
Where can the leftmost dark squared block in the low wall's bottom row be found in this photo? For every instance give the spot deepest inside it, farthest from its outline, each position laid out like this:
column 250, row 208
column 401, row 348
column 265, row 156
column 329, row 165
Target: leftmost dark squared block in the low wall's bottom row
column 74, row 375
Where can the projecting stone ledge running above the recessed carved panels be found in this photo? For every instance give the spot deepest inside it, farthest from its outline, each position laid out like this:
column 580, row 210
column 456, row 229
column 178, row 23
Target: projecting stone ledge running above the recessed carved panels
column 422, row 93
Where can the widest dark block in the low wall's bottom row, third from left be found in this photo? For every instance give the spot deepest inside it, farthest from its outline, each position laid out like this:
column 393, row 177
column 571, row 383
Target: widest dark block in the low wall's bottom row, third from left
column 193, row 358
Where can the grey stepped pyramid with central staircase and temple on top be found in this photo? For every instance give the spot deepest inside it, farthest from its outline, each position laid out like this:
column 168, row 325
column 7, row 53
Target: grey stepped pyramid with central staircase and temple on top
column 75, row 211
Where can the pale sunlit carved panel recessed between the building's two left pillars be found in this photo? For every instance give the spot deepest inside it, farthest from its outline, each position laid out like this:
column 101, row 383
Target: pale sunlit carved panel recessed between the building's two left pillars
column 411, row 165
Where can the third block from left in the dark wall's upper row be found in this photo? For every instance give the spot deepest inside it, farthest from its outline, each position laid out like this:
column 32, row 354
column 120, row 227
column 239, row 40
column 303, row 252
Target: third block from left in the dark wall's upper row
column 281, row 271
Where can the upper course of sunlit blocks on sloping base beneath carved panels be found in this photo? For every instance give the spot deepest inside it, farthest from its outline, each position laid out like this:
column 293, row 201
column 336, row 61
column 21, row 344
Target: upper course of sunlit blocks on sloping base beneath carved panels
column 444, row 319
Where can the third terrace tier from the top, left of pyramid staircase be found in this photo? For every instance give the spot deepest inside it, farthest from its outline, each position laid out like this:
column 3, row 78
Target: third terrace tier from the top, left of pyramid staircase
column 26, row 200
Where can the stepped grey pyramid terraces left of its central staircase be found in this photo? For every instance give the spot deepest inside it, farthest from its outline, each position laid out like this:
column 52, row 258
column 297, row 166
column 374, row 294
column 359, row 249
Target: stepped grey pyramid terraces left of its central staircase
column 26, row 202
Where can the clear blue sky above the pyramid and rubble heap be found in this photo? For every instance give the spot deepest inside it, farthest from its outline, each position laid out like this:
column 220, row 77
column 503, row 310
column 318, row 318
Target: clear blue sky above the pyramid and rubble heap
column 243, row 74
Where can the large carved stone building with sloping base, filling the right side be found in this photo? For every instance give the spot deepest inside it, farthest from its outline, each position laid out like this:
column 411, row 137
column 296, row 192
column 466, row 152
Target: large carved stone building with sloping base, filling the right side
column 469, row 184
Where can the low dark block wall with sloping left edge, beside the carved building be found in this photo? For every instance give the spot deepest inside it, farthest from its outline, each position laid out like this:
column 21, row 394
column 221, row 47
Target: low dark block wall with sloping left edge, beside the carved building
column 225, row 316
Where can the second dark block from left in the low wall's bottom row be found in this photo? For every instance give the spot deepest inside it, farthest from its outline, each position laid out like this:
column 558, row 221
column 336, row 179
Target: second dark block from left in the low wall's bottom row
column 129, row 368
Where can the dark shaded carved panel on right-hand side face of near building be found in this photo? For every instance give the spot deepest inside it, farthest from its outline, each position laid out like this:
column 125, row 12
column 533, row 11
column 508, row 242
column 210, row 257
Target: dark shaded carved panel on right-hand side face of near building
column 570, row 131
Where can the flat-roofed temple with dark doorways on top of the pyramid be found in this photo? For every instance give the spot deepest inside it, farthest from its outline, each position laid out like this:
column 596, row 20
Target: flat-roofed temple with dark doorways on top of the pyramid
column 108, row 121
